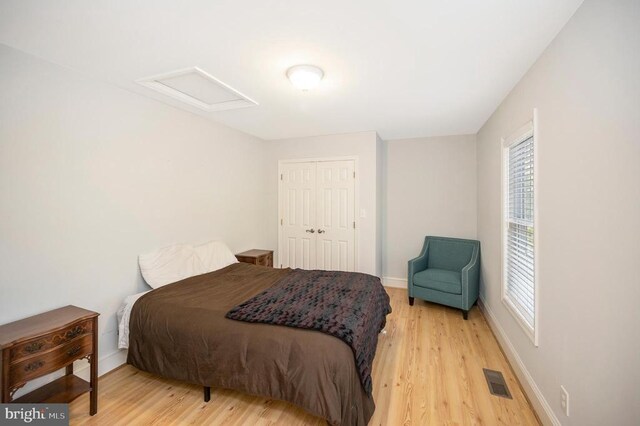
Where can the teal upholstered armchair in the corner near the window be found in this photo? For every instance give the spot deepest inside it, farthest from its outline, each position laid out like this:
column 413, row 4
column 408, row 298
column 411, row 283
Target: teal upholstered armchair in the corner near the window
column 446, row 272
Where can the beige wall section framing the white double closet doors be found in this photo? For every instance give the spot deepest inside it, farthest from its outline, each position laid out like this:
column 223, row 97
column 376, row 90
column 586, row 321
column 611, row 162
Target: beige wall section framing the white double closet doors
column 364, row 145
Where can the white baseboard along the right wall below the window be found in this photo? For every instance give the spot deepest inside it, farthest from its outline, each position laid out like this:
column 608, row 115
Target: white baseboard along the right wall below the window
column 540, row 404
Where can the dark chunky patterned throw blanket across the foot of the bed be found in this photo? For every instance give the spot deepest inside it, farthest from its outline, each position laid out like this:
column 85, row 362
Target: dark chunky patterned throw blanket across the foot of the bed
column 347, row 305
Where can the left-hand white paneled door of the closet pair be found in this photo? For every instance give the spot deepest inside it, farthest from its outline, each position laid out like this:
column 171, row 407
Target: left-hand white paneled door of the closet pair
column 298, row 215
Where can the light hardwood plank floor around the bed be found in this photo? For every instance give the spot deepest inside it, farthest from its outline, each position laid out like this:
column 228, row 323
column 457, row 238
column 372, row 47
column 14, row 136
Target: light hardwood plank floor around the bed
column 427, row 371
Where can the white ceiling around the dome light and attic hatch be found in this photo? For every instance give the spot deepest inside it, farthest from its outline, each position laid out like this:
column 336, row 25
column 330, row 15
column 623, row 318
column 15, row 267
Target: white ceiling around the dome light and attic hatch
column 403, row 68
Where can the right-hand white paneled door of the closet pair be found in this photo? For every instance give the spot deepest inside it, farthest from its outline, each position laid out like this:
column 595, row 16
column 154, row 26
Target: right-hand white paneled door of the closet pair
column 335, row 218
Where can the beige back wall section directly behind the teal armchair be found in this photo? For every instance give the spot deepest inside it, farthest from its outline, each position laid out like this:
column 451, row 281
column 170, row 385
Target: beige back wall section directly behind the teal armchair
column 430, row 187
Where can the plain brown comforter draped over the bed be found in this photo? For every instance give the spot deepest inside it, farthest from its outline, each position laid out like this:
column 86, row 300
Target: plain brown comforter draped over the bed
column 180, row 331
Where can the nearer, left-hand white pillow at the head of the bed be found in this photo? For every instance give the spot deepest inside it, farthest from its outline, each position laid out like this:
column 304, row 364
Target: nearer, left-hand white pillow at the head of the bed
column 170, row 264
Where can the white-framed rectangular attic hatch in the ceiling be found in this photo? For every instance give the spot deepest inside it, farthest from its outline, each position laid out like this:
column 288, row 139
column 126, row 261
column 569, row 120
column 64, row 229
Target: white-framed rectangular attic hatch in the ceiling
column 197, row 88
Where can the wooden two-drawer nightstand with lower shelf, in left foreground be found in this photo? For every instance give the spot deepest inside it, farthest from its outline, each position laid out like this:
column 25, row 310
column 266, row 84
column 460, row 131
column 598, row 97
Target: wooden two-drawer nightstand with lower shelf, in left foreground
column 42, row 344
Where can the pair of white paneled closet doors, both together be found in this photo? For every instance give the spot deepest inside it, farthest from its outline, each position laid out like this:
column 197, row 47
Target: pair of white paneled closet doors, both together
column 317, row 215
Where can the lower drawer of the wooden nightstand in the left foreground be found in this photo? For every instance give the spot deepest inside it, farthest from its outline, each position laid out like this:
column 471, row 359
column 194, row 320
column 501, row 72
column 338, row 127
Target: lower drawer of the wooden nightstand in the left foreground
column 51, row 361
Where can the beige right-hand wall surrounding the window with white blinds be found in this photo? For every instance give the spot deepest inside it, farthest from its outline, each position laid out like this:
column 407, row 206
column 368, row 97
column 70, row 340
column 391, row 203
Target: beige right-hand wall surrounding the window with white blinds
column 586, row 87
